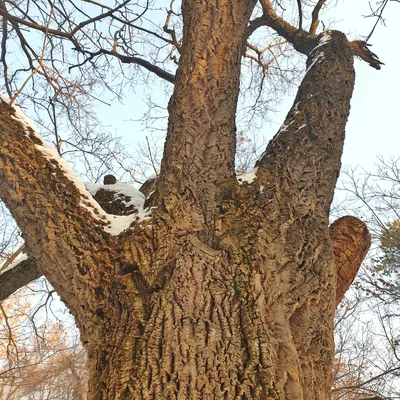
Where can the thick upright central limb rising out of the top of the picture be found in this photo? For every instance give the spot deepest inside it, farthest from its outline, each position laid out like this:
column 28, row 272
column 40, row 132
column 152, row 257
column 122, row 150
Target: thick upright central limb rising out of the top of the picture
column 200, row 146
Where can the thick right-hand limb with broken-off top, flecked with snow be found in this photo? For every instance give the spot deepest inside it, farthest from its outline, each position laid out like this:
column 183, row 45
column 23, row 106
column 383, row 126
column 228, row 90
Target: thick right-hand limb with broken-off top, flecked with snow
column 304, row 156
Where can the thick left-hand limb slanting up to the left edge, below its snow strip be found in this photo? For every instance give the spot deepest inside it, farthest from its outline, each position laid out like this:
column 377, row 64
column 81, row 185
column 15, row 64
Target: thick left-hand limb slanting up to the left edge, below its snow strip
column 61, row 235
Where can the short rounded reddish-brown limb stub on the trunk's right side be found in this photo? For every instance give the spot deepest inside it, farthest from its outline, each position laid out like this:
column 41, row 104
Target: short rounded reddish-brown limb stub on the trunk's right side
column 351, row 241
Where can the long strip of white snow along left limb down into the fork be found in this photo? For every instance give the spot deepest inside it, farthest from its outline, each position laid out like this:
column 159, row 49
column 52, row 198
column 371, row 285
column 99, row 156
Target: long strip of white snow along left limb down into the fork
column 115, row 224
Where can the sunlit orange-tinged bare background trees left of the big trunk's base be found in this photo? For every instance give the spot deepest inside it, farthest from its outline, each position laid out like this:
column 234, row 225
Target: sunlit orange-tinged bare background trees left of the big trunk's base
column 40, row 359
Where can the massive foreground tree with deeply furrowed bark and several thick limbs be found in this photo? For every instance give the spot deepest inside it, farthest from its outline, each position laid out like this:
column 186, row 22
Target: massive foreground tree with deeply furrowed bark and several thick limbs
column 225, row 288
